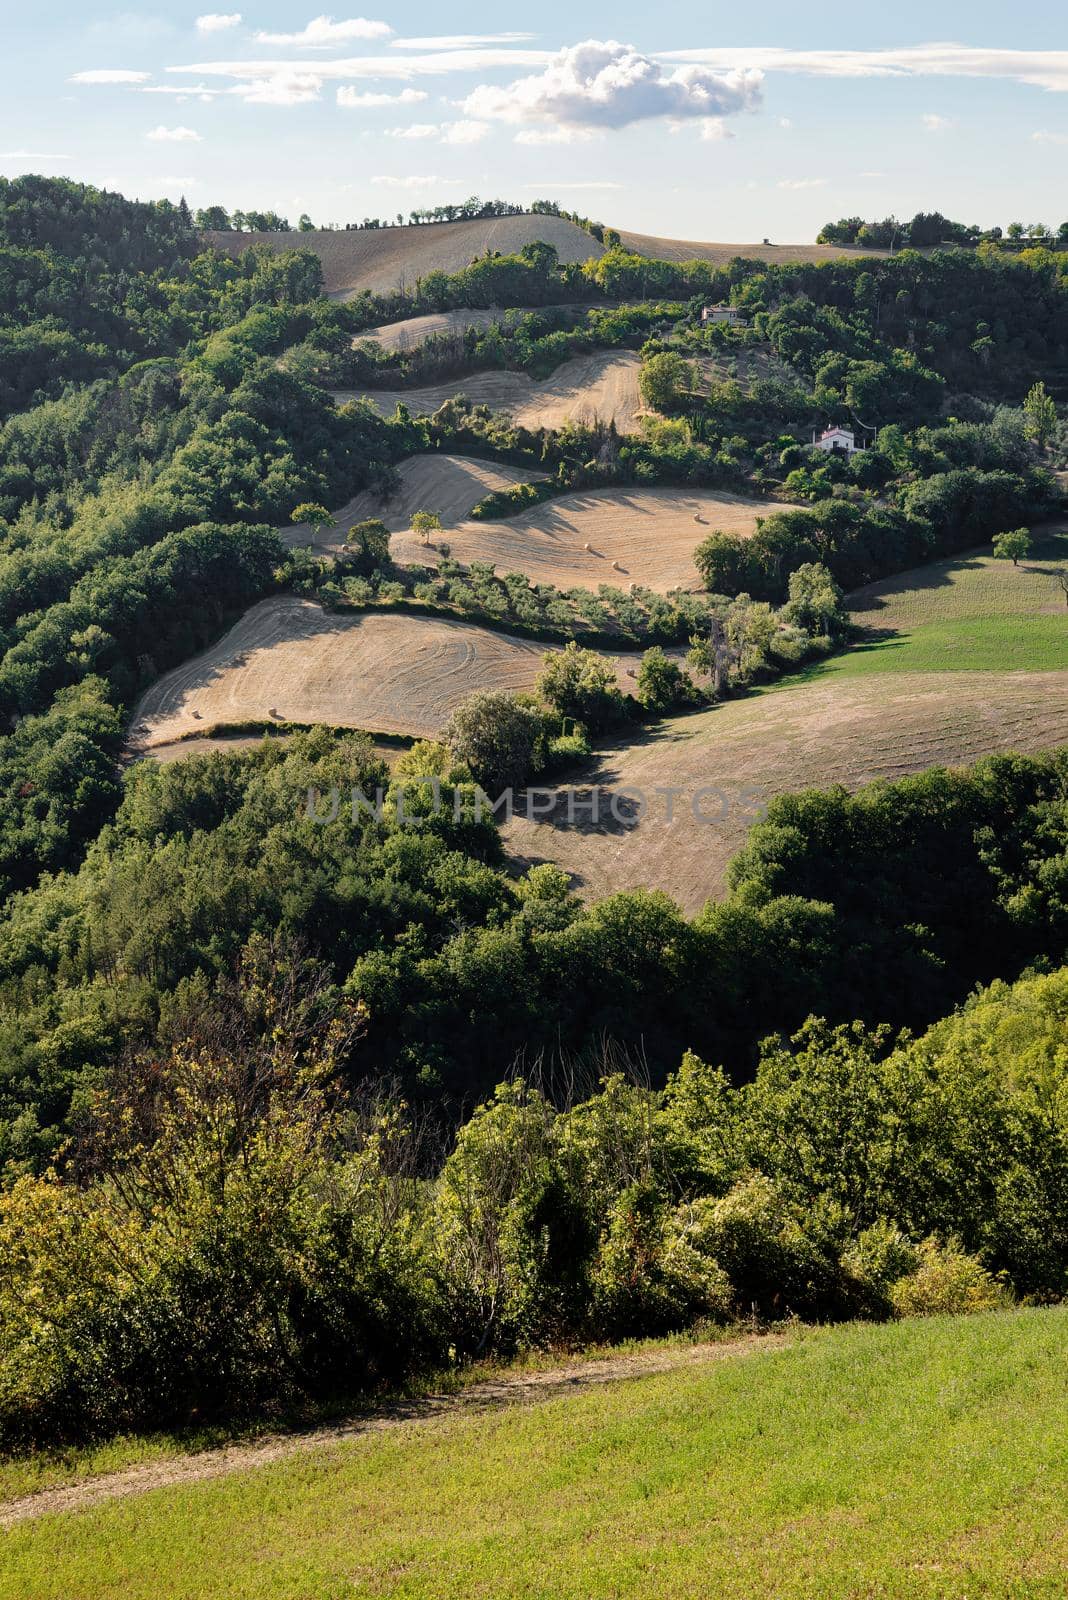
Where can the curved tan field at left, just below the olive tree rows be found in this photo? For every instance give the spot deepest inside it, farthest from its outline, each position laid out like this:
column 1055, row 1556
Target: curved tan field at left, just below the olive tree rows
column 380, row 671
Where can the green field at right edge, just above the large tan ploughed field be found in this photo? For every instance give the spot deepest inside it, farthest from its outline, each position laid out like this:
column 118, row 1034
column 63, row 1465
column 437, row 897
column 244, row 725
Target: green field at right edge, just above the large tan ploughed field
column 971, row 614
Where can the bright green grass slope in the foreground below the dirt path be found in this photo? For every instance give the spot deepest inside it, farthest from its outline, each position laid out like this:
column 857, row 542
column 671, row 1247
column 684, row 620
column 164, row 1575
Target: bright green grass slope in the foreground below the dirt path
column 925, row 1458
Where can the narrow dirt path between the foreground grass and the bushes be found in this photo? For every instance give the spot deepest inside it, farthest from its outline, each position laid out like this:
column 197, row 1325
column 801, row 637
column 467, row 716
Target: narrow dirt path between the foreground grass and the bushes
column 493, row 1394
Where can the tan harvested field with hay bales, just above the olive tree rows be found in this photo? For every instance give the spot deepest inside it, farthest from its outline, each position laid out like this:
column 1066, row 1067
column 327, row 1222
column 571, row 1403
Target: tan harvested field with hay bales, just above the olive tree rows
column 604, row 537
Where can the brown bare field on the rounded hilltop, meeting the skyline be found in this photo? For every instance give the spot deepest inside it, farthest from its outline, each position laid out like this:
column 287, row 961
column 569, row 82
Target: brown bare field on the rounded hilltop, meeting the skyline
column 396, row 258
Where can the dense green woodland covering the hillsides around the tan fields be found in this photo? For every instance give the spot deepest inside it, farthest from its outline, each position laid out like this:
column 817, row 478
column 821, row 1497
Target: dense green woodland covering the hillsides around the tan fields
column 290, row 1108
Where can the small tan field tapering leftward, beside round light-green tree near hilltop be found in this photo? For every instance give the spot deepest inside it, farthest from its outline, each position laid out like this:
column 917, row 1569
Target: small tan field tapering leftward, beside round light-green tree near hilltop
column 589, row 388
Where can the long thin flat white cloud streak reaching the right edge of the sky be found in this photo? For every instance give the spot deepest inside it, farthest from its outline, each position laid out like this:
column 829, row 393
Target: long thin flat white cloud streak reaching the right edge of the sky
column 1045, row 70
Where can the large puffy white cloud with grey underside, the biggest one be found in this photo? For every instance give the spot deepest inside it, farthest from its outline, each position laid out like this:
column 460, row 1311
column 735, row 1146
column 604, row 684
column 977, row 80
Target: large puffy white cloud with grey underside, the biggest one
column 610, row 86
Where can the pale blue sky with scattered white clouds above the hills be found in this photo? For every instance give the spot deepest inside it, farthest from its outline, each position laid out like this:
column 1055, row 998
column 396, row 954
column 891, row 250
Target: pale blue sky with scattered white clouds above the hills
column 688, row 121
